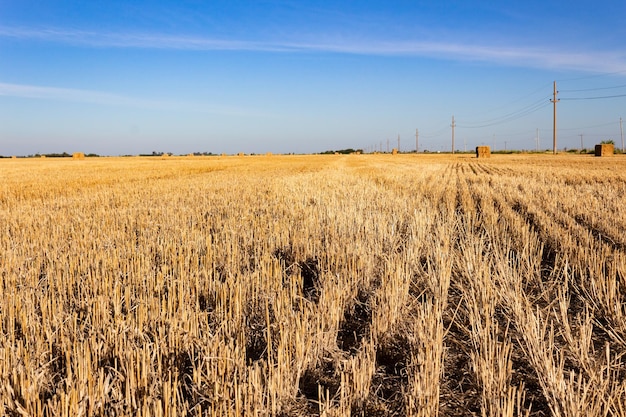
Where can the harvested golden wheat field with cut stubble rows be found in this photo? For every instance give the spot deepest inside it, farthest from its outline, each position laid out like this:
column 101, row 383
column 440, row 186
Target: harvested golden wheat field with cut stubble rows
column 406, row 285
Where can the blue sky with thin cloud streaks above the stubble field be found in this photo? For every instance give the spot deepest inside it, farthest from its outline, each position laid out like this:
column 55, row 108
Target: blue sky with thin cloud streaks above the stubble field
column 122, row 77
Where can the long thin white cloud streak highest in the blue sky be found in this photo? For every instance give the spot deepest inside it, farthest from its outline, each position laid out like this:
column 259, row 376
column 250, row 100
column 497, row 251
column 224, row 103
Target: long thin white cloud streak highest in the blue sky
column 541, row 58
